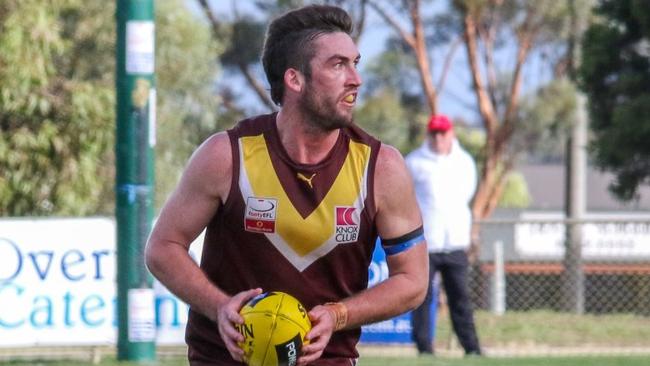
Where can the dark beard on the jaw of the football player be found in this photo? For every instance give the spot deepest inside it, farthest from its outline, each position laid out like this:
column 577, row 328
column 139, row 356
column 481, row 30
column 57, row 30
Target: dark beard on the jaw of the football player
column 322, row 113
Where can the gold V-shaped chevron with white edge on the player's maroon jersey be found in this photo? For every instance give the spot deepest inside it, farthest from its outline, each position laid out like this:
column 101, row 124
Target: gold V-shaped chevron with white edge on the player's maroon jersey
column 304, row 240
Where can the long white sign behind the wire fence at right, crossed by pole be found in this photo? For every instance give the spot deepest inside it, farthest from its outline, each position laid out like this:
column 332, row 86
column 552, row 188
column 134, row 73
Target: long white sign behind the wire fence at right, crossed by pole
column 599, row 240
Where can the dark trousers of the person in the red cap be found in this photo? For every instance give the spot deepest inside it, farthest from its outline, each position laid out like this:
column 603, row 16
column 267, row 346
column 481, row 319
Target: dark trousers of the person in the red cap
column 453, row 270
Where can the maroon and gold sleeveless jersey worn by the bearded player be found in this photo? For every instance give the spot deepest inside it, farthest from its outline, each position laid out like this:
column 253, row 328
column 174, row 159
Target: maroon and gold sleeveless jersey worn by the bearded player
column 307, row 230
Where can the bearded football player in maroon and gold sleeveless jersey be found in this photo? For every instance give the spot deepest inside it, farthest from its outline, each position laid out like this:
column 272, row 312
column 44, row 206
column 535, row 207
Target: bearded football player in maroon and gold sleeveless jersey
column 293, row 201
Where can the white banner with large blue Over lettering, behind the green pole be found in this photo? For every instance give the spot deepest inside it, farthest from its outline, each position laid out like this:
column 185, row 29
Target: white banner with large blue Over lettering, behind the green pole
column 57, row 286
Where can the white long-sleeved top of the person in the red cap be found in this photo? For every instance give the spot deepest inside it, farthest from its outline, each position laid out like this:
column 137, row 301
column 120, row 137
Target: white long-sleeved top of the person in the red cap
column 444, row 187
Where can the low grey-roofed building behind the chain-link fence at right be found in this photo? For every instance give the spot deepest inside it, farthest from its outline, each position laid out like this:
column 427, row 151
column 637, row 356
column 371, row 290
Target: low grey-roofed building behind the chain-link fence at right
column 529, row 254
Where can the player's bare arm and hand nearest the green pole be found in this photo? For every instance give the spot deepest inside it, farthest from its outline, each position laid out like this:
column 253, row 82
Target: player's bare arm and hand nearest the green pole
column 204, row 186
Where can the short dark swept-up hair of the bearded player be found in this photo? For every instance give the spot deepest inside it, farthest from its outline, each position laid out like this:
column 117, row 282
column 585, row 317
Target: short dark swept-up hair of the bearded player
column 290, row 38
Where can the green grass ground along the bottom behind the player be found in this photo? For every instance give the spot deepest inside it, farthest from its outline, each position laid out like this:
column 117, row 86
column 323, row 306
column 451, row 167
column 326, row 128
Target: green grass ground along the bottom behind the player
column 534, row 338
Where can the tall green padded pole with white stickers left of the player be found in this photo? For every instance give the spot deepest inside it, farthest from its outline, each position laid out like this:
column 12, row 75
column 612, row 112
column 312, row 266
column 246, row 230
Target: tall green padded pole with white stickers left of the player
column 135, row 140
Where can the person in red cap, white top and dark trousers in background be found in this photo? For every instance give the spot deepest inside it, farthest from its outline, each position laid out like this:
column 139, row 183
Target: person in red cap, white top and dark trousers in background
column 444, row 176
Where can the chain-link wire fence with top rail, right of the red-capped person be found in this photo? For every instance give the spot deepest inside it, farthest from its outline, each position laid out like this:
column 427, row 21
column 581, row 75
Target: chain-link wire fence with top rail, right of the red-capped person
column 526, row 264
